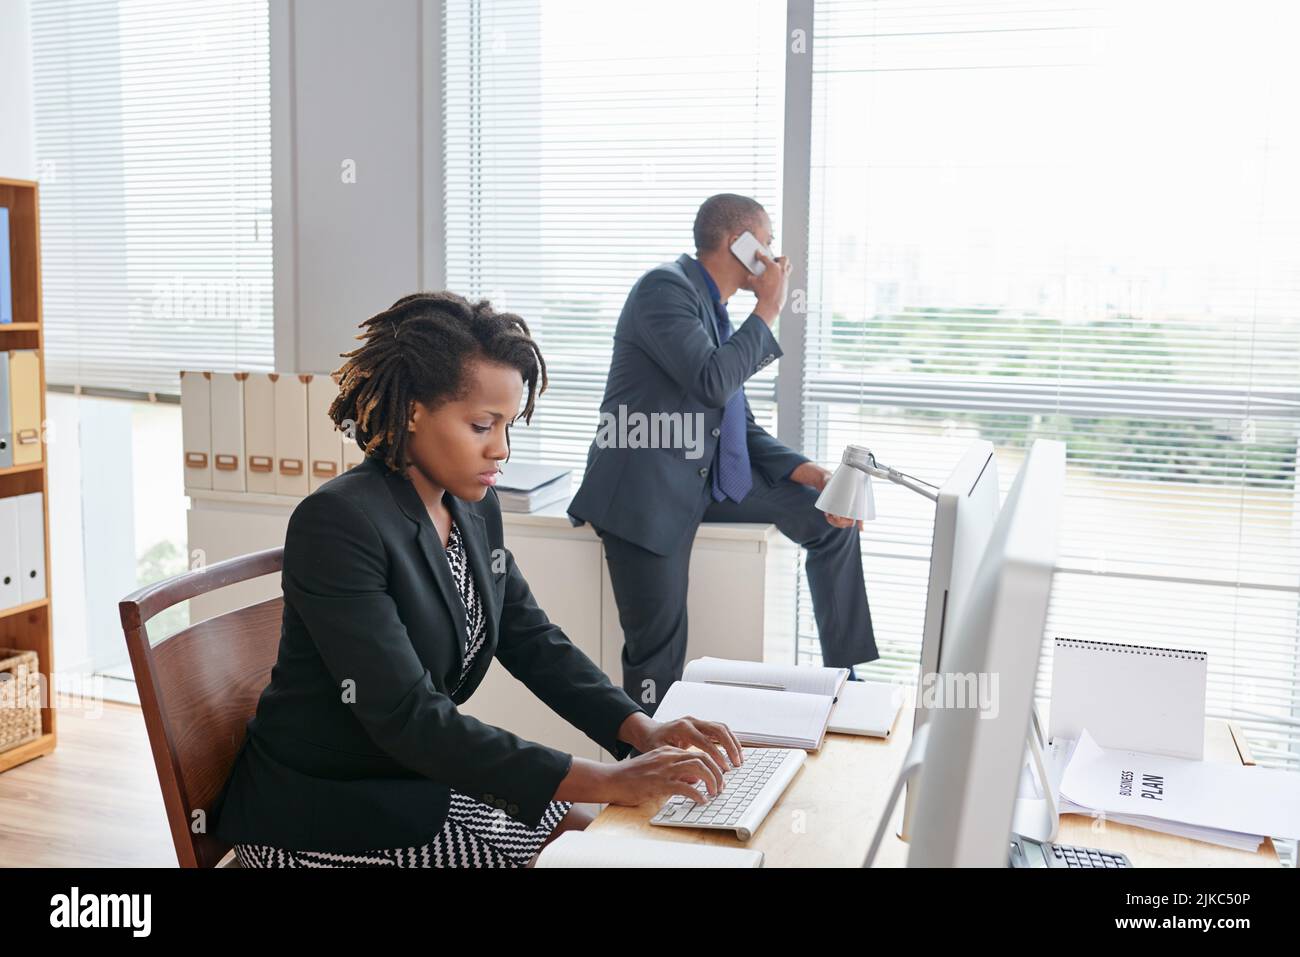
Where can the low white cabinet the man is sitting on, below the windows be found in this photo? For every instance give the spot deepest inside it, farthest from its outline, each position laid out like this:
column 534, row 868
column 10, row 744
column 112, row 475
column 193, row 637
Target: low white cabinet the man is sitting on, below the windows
column 740, row 604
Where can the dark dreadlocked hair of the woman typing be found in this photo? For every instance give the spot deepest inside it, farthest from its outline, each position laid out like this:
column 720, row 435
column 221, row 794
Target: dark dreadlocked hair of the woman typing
column 418, row 350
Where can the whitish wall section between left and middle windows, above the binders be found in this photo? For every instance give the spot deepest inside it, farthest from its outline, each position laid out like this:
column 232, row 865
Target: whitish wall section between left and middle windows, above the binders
column 352, row 84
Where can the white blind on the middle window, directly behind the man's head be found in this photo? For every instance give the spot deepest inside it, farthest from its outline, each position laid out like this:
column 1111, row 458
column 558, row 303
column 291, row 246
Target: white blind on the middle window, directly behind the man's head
column 580, row 140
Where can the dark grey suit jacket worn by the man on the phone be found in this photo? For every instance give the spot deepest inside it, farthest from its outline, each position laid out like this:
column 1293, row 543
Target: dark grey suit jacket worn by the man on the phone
column 668, row 360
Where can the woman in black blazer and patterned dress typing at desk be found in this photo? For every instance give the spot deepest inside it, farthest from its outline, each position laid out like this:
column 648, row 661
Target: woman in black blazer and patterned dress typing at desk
column 398, row 594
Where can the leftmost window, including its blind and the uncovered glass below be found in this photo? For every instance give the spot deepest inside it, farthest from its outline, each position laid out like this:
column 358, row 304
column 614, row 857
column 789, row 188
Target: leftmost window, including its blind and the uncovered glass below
column 153, row 124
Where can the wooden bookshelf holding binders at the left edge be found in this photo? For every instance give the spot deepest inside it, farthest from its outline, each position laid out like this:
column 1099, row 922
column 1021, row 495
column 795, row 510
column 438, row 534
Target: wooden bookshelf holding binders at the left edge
column 29, row 626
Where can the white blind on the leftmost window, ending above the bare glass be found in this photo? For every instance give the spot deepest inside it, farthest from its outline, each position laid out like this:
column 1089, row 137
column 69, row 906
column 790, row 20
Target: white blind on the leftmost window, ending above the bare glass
column 153, row 124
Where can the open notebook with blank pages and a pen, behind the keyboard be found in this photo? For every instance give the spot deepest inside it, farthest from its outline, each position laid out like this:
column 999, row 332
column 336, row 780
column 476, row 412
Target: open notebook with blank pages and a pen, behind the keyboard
column 765, row 705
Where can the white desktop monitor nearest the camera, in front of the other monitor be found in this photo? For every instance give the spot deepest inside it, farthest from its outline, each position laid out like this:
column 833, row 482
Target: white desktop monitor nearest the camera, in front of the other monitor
column 970, row 767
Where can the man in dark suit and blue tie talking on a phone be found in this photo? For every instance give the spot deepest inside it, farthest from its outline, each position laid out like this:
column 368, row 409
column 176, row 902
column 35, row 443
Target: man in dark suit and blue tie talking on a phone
column 681, row 367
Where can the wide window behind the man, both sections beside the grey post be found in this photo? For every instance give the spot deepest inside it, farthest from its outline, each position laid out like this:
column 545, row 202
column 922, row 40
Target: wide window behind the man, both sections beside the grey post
column 1025, row 220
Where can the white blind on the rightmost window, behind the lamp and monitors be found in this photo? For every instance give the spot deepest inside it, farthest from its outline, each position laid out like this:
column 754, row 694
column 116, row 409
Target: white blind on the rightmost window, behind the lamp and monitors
column 1042, row 220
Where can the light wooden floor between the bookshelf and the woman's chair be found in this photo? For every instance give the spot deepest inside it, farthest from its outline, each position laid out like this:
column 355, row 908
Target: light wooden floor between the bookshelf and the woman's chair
column 93, row 803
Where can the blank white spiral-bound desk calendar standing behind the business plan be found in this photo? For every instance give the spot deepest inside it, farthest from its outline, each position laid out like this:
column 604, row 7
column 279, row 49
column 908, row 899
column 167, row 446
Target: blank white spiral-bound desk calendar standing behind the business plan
column 1130, row 698
